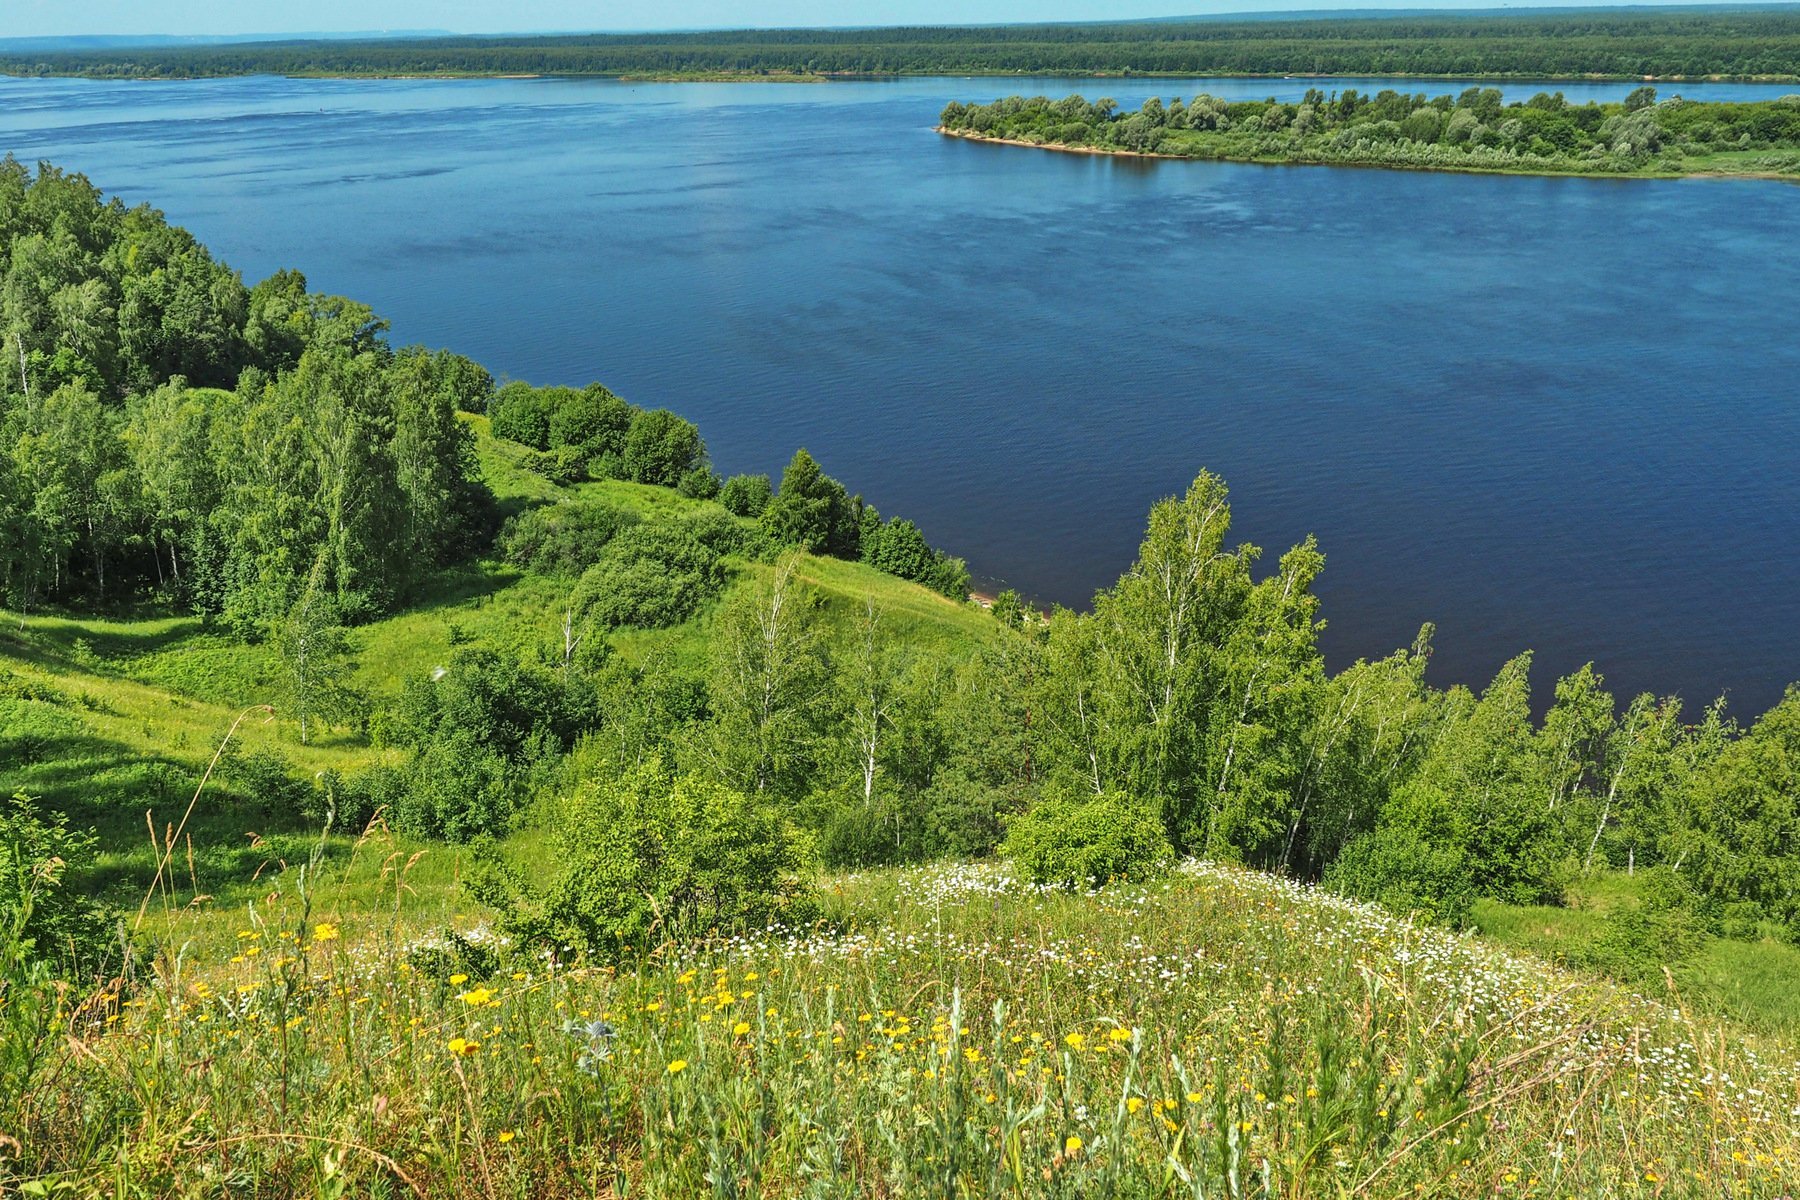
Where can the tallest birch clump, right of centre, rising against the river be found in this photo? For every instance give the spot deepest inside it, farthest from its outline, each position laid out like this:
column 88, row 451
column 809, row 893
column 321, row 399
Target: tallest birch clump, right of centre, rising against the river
column 1185, row 674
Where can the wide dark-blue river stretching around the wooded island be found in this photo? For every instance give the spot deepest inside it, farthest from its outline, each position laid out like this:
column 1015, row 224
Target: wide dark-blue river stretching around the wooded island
column 1556, row 415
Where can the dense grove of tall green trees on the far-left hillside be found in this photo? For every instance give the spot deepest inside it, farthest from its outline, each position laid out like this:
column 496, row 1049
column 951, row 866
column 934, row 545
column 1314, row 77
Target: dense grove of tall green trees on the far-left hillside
column 125, row 470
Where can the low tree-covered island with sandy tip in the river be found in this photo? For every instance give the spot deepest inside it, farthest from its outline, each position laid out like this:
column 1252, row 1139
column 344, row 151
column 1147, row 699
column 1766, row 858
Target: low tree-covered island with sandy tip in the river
column 1471, row 132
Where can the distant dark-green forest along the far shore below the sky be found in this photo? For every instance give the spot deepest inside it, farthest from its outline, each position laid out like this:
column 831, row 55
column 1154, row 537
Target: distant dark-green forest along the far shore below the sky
column 1761, row 44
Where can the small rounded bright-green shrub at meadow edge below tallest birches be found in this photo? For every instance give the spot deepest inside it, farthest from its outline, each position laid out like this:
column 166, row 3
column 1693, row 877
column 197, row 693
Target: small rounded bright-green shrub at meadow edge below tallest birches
column 1090, row 843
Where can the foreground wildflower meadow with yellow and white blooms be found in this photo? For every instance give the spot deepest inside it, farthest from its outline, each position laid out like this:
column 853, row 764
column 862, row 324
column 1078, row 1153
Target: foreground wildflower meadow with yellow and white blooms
column 948, row 1032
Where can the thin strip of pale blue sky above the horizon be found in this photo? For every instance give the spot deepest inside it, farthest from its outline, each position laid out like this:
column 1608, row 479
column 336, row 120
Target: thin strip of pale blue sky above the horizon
column 24, row 19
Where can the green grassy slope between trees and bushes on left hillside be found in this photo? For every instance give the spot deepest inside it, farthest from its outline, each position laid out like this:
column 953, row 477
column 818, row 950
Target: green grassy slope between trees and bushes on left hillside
column 125, row 715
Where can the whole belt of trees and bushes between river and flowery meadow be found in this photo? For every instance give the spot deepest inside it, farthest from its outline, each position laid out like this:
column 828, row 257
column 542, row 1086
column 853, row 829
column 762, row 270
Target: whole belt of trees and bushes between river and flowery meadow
column 1189, row 712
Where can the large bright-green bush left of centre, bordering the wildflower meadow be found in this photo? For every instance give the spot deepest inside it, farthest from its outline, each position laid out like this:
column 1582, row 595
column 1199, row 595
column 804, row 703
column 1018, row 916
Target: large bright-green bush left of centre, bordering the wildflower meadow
column 649, row 857
